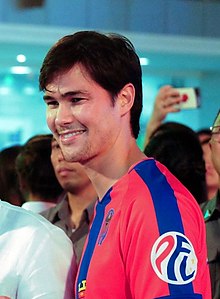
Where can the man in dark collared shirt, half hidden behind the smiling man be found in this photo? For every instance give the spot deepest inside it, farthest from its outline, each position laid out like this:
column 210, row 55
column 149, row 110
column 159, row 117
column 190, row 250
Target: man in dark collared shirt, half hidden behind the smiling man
column 75, row 211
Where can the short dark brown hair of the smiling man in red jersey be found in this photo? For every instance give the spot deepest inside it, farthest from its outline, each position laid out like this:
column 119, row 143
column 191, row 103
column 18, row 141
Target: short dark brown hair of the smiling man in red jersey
column 110, row 60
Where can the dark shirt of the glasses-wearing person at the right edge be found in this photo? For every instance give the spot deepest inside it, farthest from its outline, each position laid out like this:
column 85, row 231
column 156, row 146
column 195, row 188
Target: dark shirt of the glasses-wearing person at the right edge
column 211, row 212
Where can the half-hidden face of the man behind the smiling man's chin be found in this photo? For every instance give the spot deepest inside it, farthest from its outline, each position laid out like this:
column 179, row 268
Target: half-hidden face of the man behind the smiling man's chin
column 71, row 175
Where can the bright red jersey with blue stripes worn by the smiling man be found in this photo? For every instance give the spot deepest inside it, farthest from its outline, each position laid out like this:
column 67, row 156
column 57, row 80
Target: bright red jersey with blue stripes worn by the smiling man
column 147, row 241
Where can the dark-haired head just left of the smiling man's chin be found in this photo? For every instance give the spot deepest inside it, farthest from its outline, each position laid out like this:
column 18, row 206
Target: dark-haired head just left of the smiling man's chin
column 34, row 167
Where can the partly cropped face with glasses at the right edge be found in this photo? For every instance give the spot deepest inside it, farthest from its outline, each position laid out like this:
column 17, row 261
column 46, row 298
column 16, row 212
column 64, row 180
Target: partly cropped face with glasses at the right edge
column 215, row 144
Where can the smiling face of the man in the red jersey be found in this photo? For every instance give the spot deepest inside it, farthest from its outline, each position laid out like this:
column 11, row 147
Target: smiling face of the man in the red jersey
column 81, row 115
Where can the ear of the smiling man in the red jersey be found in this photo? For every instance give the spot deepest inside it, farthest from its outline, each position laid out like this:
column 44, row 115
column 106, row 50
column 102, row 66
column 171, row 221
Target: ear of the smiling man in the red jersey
column 126, row 98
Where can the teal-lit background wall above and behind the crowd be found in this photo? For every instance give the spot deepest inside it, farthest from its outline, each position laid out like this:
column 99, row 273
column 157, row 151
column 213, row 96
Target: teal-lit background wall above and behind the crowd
column 22, row 111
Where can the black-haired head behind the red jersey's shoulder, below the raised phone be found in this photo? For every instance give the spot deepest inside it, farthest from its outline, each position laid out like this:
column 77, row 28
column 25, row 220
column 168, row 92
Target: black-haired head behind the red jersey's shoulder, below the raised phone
column 178, row 148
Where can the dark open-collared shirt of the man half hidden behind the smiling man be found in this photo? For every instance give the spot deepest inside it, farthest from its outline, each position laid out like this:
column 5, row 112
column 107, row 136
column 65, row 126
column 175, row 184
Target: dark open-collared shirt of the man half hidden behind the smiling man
column 60, row 216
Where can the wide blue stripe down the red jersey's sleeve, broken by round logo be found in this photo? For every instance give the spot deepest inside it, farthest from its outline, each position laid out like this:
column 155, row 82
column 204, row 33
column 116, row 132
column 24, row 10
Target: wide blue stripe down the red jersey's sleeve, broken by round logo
column 166, row 209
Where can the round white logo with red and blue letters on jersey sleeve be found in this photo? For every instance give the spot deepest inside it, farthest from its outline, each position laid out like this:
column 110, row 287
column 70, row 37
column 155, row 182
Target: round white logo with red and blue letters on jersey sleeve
column 173, row 258
